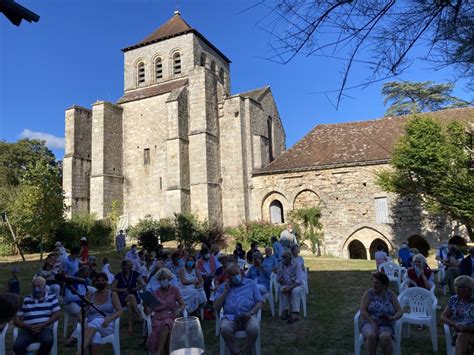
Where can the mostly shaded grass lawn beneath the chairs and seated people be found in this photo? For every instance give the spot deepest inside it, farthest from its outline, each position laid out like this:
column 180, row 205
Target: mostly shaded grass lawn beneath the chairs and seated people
column 336, row 287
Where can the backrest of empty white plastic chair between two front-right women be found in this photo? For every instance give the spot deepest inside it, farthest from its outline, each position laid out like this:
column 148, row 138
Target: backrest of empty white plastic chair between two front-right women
column 420, row 302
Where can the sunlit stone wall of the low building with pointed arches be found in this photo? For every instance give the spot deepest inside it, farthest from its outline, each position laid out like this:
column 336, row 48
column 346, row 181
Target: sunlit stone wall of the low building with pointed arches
column 347, row 197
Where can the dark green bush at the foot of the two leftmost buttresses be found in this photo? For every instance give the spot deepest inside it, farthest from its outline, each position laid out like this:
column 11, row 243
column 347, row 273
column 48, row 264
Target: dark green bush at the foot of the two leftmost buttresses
column 98, row 232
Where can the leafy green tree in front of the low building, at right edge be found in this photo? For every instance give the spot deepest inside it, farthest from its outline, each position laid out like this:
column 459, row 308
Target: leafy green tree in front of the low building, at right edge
column 431, row 163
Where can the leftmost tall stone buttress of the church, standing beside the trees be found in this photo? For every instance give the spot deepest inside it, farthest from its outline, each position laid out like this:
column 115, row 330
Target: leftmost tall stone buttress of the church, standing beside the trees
column 77, row 159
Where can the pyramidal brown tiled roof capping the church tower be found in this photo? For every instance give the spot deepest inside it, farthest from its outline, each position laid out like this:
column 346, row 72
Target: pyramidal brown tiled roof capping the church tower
column 175, row 26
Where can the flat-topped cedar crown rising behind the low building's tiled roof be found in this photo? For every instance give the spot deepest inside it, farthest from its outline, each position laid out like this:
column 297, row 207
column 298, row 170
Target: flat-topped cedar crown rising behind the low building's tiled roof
column 410, row 97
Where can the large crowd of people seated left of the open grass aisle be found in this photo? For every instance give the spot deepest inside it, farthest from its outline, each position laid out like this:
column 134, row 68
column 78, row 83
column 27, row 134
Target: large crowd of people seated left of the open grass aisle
column 231, row 285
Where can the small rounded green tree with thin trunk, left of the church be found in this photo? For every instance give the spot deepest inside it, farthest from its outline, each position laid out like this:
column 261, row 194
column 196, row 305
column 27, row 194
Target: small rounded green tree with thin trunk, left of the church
column 39, row 206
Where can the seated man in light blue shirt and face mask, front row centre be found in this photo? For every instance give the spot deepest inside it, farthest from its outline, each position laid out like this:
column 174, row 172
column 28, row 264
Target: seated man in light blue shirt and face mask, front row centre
column 241, row 301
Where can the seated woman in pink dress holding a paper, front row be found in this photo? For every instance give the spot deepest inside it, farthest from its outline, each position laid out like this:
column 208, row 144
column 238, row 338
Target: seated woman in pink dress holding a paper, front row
column 165, row 313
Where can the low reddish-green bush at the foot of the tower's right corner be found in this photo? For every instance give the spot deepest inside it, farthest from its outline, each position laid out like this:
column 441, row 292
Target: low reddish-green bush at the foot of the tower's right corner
column 258, row 232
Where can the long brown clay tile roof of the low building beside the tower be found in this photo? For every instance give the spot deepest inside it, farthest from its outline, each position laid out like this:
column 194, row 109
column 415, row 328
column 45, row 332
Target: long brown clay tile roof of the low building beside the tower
column 352, row 143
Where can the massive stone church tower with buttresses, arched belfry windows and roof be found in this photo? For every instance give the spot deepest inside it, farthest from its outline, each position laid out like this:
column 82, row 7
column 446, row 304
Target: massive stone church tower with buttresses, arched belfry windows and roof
column 176, row 141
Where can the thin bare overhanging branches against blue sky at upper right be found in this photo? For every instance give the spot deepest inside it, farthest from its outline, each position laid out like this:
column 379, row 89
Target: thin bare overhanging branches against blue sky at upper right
column 379, row 34
